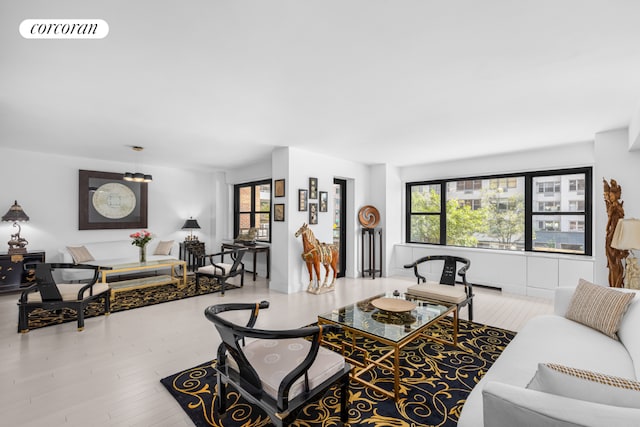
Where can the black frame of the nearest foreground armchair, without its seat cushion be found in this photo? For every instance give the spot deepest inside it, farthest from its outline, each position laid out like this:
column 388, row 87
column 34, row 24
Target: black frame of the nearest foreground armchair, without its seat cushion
column 245, row 380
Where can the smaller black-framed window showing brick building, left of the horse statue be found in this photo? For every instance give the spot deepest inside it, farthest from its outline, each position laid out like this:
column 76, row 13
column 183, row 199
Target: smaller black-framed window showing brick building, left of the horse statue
column 252, row 209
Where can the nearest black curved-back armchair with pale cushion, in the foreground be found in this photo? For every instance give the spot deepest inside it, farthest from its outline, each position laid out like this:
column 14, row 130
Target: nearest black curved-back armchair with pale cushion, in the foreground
column 282, row 386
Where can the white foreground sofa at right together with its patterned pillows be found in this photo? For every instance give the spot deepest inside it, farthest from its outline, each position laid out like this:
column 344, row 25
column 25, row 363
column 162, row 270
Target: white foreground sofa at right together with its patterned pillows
column 508, row 394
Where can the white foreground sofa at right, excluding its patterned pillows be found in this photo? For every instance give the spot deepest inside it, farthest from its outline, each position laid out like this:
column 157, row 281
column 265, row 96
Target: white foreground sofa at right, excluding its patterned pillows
column 502, row 398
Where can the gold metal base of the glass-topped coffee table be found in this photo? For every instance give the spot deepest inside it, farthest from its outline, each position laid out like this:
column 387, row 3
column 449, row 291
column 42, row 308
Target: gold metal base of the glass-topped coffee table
column 389, row 360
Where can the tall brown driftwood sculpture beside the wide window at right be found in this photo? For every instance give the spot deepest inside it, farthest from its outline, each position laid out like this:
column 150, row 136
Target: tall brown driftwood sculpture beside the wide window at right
column 615, row 211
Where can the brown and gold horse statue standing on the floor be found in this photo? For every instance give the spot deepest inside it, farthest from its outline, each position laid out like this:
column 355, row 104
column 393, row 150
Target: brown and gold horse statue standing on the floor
column 315, row 253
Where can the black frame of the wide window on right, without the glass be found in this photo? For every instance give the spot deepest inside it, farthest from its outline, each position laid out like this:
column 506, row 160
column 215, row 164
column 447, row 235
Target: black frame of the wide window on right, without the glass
column 529, row 213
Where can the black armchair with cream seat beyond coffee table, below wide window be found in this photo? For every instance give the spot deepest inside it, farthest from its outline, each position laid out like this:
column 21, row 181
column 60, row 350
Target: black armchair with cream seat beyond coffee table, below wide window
column 445, row 288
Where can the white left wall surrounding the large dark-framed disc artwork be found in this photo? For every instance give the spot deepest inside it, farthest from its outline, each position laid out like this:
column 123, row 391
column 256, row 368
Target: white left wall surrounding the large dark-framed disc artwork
column 46, row 186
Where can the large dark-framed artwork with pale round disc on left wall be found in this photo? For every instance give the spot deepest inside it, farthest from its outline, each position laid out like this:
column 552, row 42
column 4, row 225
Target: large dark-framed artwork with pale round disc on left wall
column 106, row 201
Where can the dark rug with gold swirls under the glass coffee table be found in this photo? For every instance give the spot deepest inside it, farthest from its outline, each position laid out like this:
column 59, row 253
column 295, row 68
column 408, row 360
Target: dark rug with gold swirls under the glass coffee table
column 436, row 380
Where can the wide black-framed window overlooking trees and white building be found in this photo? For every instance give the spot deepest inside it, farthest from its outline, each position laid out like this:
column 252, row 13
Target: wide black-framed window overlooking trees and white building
column 546, row 211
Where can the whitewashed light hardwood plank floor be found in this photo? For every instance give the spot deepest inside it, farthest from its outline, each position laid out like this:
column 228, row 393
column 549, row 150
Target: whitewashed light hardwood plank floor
column 109, row 374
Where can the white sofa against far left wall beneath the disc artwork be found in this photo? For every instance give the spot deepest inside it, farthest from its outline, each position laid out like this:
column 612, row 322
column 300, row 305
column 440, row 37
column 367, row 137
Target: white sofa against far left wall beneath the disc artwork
column 114, row 252
